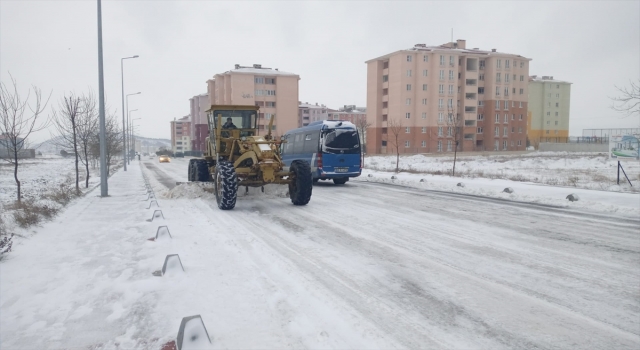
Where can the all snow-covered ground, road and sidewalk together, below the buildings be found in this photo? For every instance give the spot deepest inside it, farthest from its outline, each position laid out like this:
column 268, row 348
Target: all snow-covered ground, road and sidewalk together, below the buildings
column 376, row 263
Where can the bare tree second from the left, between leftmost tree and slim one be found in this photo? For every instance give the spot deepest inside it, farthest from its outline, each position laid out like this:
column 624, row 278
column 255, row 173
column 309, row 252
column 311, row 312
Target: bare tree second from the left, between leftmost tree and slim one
column 65, row 122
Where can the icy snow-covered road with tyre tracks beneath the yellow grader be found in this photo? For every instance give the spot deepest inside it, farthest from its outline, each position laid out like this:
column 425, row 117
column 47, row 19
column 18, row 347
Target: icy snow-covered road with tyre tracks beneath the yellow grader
column 424, row 269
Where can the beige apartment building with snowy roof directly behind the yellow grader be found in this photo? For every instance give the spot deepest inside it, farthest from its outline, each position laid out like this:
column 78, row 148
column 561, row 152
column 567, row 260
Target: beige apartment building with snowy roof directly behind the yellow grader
column 274, row 91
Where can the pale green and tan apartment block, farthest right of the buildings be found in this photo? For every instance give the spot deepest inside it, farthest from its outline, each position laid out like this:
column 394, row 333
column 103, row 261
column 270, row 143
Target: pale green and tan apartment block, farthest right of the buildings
column 549, row 108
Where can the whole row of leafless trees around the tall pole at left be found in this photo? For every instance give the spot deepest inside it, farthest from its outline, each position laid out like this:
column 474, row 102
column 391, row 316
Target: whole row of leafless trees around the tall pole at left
column 75, row 126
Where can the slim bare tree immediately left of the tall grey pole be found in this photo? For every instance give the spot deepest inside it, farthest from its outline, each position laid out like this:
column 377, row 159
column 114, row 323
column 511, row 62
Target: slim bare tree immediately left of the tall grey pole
column 87, row 129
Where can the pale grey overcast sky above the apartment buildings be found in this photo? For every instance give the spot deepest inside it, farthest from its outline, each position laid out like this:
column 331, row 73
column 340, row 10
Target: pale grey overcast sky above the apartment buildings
column 181, row 44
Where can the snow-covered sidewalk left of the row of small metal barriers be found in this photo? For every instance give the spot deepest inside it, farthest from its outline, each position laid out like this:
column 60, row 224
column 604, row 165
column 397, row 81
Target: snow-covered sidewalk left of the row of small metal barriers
column 85, row 279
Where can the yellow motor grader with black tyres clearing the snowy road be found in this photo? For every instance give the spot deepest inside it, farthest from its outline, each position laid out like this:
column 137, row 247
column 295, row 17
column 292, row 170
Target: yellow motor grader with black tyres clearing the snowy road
column 236, row 156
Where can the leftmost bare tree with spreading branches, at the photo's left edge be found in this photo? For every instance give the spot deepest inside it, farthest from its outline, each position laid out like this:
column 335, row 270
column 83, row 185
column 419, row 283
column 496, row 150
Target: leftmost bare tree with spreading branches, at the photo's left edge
column 17, row 124
